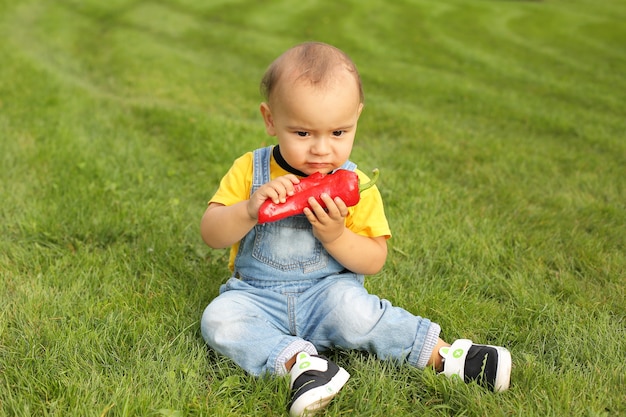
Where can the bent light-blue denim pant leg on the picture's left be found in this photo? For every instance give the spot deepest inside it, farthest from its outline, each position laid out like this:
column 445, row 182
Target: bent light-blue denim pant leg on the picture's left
column 250, row 326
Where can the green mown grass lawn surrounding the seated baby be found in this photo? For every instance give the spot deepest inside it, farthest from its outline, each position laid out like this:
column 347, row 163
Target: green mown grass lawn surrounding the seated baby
column 499, row 129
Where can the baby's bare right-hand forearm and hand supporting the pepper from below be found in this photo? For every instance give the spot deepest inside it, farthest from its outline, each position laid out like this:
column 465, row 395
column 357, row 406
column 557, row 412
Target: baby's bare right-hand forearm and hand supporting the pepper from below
column 360, row 254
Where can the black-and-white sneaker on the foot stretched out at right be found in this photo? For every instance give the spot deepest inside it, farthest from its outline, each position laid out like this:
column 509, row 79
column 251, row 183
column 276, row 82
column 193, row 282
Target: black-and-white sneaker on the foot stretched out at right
column 489, row 366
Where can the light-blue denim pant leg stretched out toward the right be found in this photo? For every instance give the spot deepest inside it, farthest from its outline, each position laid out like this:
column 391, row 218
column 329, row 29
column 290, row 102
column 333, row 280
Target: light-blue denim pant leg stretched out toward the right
column 339, row 312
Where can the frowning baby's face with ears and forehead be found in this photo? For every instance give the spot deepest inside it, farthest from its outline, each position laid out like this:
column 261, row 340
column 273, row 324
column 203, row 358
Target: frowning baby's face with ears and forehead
column 315, row 126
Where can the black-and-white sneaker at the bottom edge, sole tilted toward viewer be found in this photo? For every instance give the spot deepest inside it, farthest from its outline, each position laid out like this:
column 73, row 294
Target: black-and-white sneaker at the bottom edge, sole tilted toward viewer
column 314, row 382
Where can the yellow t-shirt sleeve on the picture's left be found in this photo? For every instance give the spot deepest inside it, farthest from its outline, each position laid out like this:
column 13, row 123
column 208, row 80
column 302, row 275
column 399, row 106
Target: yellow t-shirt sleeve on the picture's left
column 236, row 184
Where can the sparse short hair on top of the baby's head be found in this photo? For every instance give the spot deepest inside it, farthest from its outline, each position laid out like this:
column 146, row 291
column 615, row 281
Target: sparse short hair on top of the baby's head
column 313, row 61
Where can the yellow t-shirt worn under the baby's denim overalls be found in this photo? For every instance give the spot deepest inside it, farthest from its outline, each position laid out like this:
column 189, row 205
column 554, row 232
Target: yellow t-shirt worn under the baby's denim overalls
column 367, row 218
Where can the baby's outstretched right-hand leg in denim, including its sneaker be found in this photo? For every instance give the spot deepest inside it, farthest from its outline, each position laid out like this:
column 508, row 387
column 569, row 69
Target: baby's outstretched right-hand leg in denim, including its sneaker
column 340, row 313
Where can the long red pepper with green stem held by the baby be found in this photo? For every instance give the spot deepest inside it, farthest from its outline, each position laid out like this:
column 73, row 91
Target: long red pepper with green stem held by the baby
column 341, row 183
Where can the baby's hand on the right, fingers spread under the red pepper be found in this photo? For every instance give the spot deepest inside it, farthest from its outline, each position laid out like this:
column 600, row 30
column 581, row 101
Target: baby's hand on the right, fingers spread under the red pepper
column 328, row 224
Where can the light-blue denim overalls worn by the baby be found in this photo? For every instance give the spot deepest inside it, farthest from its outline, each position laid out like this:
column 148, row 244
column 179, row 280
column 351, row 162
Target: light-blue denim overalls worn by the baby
column 288, row 295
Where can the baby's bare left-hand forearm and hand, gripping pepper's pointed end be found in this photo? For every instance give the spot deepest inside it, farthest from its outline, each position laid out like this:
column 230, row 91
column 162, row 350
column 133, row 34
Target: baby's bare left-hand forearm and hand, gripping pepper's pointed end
column 223, row 226
